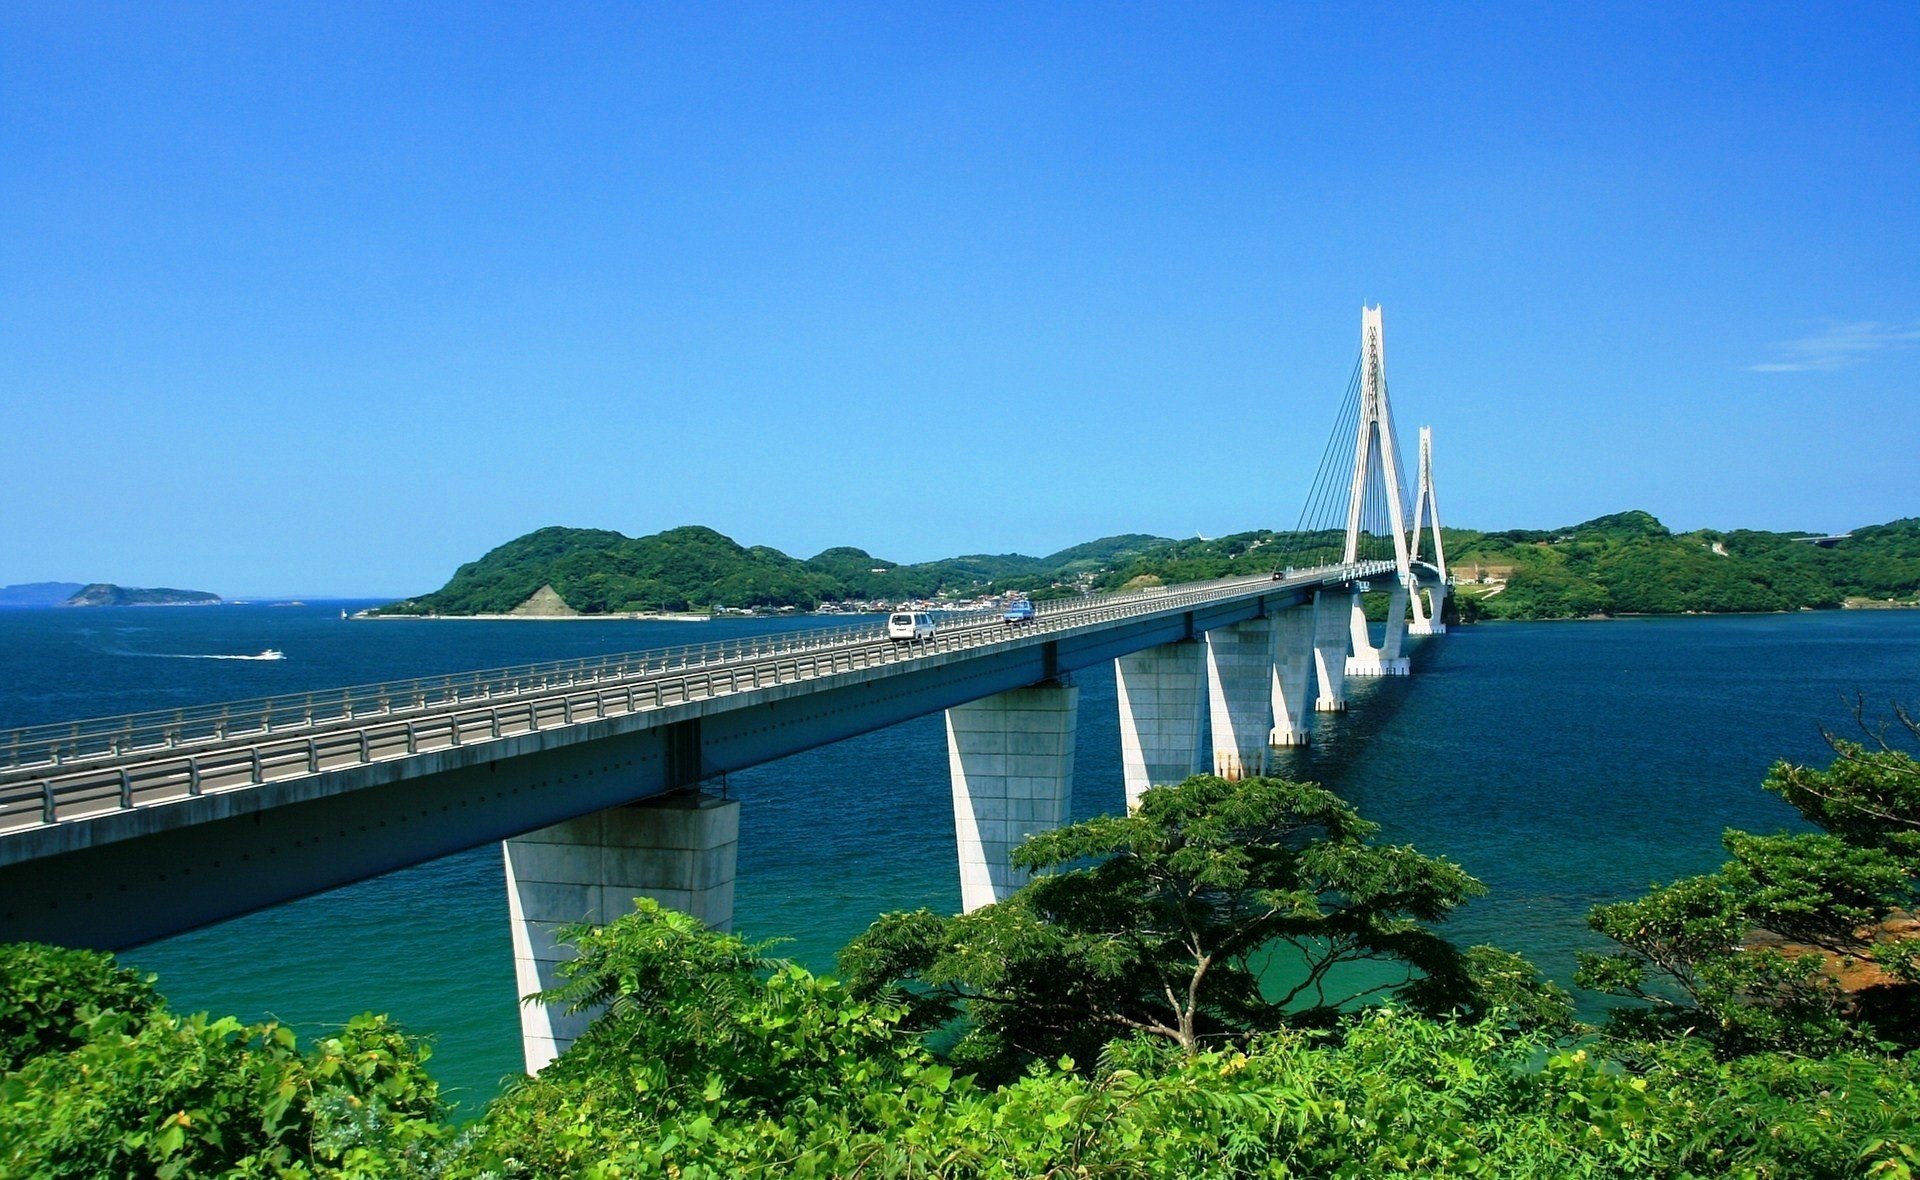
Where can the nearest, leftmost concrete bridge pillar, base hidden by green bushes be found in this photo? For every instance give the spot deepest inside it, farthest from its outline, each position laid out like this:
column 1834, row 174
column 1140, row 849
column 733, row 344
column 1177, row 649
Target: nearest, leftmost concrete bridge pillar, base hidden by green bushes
column 679, row 851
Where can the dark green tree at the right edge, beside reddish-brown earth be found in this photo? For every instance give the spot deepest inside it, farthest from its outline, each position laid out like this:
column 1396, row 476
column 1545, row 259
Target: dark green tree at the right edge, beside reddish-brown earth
column 1754, row 955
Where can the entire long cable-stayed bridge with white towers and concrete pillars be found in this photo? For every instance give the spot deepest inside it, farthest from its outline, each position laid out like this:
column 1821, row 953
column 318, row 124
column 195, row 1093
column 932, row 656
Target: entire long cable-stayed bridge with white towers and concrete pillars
column 116, row 832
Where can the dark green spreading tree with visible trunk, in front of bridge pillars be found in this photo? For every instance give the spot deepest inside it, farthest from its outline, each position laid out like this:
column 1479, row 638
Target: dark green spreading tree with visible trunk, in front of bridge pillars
column 1161, row 924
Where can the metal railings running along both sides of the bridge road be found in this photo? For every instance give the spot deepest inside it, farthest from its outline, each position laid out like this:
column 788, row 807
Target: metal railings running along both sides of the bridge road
column 373, row 722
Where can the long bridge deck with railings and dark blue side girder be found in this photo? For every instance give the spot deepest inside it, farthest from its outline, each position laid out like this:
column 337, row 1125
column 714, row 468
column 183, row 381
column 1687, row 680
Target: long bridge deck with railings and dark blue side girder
column 128, row 830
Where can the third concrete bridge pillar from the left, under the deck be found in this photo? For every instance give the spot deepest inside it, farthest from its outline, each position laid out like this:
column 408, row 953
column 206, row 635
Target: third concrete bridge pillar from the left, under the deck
column 1161, row 699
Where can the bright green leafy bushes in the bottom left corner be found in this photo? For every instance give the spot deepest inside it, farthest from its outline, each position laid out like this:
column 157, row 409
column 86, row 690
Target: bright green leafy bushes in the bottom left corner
column 116, row 1085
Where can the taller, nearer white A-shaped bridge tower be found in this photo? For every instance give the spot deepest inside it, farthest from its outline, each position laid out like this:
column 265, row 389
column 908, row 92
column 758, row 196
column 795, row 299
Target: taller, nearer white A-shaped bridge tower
column 1376, row 460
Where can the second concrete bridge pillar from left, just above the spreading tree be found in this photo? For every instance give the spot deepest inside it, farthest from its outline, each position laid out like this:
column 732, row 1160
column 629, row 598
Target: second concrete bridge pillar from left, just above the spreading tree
column 1013, row 772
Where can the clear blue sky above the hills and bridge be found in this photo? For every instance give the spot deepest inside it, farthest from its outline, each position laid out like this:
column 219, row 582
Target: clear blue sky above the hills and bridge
column 329, row 298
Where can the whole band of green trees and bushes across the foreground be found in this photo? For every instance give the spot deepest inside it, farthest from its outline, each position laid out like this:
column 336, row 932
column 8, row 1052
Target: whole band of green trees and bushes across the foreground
column 1111, row 1020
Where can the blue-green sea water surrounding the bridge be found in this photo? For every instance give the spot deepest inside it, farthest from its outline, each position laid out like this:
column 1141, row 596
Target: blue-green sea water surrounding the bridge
column 1564, row 765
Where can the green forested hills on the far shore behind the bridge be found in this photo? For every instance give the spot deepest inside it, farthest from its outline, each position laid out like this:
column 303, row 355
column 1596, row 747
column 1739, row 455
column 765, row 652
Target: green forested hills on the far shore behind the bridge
column 1627, row 563
